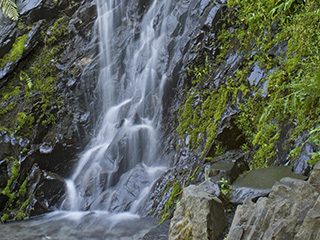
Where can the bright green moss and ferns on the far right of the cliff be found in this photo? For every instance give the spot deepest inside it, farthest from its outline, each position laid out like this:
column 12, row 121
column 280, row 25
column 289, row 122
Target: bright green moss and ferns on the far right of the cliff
column 293, row 91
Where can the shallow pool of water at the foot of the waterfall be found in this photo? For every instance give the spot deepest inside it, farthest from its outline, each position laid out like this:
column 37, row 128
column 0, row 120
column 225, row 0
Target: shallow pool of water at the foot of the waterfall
column 62, row 225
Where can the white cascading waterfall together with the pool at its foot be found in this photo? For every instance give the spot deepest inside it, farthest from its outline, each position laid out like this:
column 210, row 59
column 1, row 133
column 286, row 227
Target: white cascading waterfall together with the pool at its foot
column 115, row 174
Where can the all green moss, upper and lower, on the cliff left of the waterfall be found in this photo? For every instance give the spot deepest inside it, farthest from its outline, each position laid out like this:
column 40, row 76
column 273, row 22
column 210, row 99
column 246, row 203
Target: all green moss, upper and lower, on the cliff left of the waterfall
column 29, row 99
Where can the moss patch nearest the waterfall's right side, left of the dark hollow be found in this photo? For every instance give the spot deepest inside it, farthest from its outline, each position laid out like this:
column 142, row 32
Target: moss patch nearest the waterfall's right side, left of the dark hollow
column 200, row 117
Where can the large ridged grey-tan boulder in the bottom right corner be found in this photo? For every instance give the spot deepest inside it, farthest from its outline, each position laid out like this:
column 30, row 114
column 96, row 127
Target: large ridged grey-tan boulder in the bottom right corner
column 277, row 217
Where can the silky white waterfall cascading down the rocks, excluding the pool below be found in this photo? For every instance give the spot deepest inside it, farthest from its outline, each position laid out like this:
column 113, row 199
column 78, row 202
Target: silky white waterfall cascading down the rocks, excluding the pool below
column 123, row 160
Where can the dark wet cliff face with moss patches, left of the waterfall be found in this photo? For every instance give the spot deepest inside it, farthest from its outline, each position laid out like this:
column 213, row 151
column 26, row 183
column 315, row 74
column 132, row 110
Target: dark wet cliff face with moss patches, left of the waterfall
column 47, row 90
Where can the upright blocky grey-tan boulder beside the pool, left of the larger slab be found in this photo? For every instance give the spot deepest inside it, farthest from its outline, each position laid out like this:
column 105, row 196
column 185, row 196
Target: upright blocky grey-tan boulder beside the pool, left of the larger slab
column 199, row 214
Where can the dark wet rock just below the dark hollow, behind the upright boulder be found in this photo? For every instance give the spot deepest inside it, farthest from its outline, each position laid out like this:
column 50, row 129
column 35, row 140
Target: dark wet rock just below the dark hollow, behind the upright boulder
column 228, row 166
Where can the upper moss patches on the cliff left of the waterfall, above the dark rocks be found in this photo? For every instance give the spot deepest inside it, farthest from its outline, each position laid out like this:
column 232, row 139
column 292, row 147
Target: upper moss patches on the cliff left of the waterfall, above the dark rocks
column 36, row 81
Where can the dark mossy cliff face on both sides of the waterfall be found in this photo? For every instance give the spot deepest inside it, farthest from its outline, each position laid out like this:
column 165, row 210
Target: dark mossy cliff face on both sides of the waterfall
column 234, row 92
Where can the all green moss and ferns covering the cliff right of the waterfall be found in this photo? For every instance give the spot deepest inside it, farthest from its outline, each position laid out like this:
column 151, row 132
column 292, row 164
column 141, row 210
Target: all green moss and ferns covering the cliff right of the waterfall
column 283, row 37
